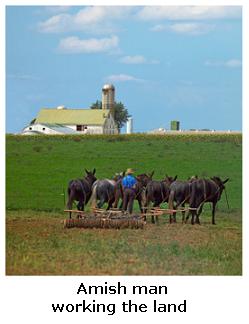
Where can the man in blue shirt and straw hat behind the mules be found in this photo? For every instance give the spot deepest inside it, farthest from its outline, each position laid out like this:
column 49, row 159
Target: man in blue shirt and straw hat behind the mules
column 129, row 187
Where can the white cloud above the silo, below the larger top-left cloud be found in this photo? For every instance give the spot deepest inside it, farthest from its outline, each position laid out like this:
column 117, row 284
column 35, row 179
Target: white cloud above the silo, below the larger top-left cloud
column 74, row 44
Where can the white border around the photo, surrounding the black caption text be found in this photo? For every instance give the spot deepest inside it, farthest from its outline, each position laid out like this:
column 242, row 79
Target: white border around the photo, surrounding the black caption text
column 209, row 299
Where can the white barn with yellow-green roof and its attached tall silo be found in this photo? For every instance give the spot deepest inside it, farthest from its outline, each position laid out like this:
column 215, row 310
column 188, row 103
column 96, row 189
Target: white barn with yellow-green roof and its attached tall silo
column 63, row 120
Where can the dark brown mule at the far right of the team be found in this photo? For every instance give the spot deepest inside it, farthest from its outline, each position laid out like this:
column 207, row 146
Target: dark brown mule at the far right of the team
column 202, row 191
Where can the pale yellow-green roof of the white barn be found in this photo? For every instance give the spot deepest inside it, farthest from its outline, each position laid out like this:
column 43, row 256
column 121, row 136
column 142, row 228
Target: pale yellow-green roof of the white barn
column 72, row 116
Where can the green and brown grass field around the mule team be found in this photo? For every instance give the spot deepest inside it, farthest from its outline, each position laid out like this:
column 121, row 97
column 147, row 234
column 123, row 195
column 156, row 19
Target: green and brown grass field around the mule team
column 37, row 172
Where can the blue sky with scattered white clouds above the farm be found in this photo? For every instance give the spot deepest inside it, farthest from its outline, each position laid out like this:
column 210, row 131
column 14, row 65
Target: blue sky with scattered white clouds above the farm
column 166, row 63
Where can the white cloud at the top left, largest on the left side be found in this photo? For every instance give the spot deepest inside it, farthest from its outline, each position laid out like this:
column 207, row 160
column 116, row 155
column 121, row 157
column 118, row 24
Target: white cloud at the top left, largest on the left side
column 97, row 19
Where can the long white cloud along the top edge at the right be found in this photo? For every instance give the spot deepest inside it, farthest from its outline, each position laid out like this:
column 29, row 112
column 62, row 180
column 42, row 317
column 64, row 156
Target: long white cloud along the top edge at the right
column 189, row 12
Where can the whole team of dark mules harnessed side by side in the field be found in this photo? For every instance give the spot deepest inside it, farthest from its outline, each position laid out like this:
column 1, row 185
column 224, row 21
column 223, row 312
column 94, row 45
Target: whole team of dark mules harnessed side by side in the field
column 177, row 193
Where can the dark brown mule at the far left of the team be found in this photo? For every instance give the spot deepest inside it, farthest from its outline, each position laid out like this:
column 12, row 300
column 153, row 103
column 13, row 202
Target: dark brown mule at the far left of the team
column 80, row 190
